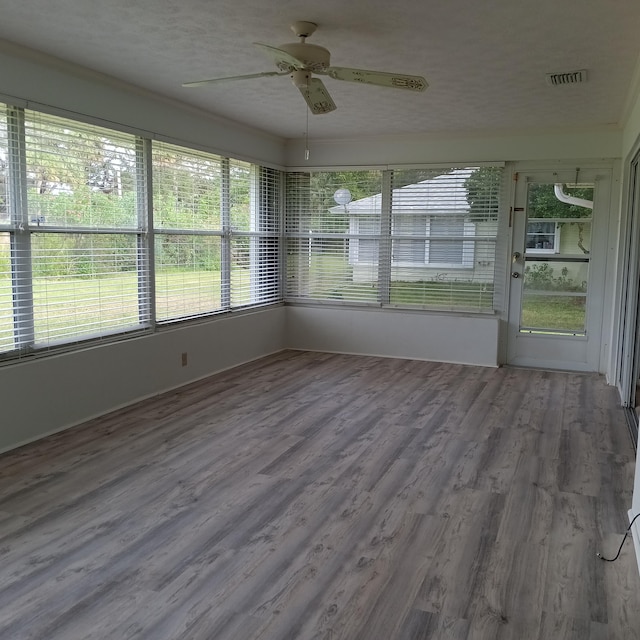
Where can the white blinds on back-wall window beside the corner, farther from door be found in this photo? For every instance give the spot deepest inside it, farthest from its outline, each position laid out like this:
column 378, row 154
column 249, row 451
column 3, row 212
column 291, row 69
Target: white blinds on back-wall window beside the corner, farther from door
column 333, row 223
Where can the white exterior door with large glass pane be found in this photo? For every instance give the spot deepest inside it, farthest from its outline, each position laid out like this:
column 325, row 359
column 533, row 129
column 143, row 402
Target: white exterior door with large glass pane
column 557, row 269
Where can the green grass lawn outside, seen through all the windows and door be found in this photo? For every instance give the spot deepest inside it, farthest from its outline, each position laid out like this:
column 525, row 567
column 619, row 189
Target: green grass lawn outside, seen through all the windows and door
column 67, row 306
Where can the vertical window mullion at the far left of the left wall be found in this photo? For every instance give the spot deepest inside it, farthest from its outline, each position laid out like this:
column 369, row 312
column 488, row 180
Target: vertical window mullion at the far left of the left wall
column 21, row 269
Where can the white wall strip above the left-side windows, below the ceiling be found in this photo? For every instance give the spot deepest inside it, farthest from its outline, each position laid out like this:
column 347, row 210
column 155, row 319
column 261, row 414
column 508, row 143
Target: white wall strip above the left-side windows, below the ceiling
column 43, row 81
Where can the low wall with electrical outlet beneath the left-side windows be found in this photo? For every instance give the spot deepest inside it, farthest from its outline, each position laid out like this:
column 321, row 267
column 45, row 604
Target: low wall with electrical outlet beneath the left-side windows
column 49, row 394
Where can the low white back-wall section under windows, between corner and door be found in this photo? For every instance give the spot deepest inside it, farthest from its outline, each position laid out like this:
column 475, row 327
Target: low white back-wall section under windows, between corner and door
column 398, row 334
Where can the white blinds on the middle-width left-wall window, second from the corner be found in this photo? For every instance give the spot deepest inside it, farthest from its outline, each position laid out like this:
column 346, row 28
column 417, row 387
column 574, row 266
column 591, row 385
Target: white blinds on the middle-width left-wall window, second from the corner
column 188, row 231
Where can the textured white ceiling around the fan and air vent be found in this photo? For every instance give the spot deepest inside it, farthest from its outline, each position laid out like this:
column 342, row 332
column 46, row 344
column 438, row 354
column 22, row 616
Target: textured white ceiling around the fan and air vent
column 485, row 61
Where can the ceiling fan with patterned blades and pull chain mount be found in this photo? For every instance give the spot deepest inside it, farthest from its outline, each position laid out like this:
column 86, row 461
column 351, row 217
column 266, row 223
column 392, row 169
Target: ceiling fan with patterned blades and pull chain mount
column 300, row 60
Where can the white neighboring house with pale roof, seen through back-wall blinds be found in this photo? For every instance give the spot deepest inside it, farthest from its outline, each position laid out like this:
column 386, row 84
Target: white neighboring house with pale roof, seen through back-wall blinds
column 433, row 237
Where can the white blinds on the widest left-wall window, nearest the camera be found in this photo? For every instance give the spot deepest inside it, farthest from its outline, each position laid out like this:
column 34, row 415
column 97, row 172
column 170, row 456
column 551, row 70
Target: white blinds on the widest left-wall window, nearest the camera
column 78, row 254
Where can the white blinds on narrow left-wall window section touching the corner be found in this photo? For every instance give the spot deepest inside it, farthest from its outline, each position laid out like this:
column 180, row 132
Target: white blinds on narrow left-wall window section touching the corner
column 255, row 204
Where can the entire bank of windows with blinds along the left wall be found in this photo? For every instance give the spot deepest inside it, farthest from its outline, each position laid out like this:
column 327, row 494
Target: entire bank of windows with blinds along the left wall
column 83, row 257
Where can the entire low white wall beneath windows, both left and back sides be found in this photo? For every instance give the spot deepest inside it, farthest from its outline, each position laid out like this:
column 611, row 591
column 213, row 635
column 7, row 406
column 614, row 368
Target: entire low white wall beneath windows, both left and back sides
column 49, row 394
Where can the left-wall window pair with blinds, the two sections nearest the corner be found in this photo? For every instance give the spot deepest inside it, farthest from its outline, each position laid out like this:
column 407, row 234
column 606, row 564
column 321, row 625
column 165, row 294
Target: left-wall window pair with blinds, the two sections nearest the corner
column 216, row 228
